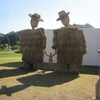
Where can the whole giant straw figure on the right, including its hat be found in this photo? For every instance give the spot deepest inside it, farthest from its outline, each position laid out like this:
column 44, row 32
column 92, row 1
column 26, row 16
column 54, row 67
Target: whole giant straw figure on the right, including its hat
column 70, row 44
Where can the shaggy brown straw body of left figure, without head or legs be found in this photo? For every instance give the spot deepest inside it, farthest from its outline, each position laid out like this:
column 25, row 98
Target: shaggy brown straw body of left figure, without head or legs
column 32, row 44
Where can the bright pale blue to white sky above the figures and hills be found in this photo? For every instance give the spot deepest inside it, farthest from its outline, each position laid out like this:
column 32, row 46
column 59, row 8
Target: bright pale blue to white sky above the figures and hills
column 14, row 13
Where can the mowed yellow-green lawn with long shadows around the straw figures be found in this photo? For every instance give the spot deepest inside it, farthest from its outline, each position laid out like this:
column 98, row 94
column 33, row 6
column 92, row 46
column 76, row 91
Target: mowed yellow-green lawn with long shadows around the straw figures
column 16, row 84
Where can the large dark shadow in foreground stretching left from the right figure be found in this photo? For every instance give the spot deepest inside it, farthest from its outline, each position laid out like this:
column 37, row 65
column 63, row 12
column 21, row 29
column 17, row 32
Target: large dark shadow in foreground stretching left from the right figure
column 43, row 80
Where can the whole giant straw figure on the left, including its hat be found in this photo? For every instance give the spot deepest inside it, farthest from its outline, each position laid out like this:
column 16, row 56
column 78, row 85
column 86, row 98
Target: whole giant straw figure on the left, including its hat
column 32, row 44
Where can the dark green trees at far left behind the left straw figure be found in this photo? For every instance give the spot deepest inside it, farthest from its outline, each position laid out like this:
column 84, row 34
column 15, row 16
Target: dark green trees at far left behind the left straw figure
column 10, row 40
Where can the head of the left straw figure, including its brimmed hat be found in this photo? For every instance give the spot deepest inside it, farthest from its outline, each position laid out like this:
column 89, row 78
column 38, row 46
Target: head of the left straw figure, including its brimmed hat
column 35, row 18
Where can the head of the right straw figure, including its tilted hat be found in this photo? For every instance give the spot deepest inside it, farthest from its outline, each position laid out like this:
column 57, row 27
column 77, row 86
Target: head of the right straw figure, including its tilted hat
column 63, row 16
